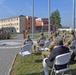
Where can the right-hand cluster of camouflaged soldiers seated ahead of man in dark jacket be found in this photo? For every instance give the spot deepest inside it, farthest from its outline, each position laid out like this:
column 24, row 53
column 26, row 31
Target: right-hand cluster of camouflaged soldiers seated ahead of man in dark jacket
column 54, row 36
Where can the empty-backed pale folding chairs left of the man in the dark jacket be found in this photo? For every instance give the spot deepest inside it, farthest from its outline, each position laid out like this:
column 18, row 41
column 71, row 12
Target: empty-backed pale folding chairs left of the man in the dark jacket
column 27, row 48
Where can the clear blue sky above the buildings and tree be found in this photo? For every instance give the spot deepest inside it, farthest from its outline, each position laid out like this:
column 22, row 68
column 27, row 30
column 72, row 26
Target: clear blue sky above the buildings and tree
column 12, row 8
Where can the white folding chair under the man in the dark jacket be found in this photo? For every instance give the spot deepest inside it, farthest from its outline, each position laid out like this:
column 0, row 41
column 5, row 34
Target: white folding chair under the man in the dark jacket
column 61, row 60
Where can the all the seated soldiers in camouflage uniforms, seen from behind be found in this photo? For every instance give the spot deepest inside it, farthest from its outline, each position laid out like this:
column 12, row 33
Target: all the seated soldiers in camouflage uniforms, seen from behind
column 53, row 37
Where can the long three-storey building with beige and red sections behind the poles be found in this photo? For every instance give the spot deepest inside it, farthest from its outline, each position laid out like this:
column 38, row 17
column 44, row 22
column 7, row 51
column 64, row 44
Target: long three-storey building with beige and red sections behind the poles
column 20, row 23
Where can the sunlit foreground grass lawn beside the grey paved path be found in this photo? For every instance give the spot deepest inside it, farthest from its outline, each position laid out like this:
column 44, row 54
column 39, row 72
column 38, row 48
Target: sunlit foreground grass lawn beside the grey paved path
column 32, row 65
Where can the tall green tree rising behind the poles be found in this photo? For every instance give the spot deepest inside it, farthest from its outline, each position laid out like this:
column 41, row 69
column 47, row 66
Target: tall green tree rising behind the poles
column 55, row 18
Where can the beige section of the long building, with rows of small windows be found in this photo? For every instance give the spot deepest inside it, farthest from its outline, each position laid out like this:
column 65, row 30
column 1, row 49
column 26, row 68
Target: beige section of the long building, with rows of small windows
column 13, row 24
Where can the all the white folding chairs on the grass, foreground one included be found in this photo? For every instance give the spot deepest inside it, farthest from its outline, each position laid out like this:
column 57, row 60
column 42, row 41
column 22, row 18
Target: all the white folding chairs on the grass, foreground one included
column 59, row 60
